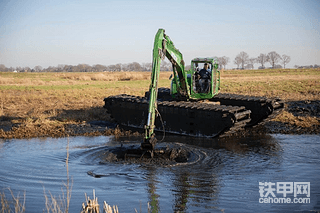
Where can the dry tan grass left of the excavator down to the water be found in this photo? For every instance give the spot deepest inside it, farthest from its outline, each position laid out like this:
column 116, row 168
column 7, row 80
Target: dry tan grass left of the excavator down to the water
column 41, row 104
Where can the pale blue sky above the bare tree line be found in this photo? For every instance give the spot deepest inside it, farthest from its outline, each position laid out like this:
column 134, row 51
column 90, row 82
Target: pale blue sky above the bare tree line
column 48, row 33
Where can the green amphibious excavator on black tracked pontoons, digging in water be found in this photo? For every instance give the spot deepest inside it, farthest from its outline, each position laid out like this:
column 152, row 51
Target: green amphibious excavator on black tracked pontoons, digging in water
column 193, row 106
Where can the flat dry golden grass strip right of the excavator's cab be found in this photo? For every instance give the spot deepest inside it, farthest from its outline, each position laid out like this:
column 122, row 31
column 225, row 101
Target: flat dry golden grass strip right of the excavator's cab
column 288, row 84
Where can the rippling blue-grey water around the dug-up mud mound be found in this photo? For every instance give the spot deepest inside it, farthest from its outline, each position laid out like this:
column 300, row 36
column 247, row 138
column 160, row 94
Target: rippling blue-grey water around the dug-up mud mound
column 220, row 175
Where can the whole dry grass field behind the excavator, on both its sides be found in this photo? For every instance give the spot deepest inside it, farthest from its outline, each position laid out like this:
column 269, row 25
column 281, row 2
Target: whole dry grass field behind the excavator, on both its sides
column 45, row 102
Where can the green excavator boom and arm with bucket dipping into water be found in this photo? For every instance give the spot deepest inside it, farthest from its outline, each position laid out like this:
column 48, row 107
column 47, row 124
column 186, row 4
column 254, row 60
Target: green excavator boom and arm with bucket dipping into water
column 163, row 47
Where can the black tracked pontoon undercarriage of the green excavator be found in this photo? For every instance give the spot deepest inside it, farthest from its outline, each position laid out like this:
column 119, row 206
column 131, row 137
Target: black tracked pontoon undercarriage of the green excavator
column 221, row 115
